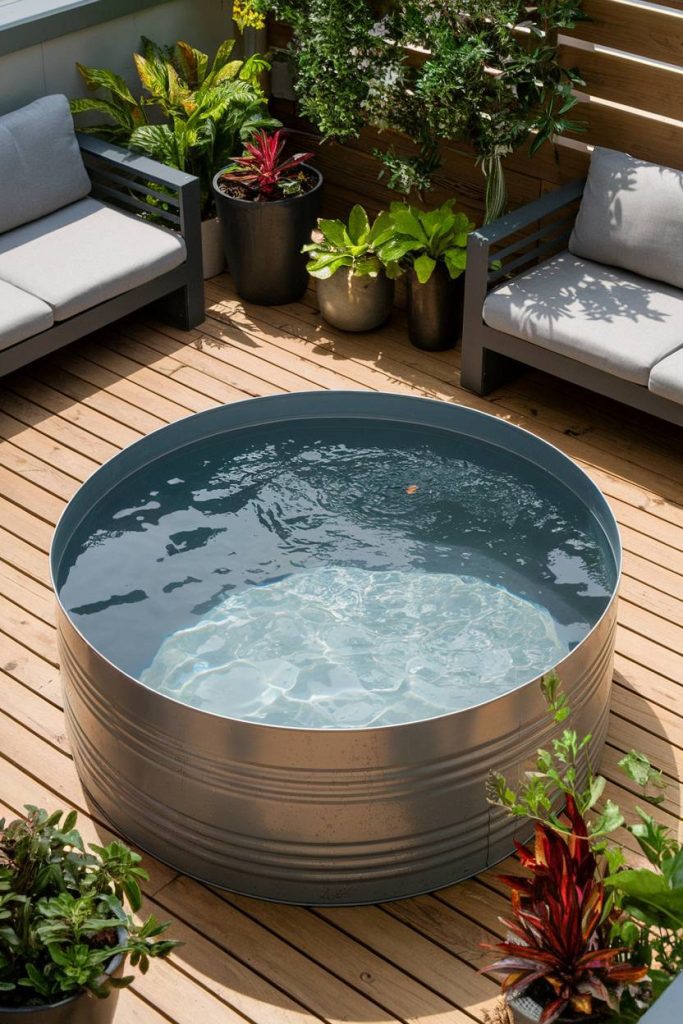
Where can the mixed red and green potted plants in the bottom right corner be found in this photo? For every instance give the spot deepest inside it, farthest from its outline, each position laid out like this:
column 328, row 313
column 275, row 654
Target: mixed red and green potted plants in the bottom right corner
column 642, row 909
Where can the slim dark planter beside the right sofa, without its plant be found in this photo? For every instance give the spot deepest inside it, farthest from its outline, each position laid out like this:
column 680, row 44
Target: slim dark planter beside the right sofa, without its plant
column 436, row 311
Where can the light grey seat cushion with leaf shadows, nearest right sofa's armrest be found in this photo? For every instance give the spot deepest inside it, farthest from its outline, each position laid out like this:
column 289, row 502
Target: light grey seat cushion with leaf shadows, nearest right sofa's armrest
column 611, row 320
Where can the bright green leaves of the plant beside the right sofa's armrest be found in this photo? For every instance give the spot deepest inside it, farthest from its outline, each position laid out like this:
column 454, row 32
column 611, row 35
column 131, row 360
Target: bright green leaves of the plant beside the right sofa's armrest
column 422, row 239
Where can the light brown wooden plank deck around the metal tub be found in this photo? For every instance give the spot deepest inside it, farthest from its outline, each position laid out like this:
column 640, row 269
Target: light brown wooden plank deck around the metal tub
column 415, row 961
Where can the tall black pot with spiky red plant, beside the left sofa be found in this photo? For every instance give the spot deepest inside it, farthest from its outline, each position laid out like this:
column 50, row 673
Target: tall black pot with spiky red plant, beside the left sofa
column 268, row 205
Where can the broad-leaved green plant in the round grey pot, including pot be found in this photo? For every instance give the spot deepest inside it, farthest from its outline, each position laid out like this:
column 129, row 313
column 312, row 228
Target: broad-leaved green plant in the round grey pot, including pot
column 355, row 285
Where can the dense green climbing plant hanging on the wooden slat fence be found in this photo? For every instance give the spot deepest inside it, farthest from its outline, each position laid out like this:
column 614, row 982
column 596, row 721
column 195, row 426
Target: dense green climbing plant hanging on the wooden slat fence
column 484, row 72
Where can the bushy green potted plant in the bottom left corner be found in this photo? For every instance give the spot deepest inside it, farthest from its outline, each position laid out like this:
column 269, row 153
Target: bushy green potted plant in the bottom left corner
column 65, row 935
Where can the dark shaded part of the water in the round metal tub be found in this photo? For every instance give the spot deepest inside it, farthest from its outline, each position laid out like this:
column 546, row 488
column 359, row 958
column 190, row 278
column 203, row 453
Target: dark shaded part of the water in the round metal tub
column 194, row 532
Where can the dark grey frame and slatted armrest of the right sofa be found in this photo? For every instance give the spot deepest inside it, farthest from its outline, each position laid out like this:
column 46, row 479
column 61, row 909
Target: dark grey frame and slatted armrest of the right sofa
column 489, row 357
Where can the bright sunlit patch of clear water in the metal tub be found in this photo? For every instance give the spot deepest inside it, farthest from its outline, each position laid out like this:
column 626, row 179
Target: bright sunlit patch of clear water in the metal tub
column 344, row 648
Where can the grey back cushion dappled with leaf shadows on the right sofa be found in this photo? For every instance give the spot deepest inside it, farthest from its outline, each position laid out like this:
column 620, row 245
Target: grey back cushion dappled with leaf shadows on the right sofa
column 631, row 217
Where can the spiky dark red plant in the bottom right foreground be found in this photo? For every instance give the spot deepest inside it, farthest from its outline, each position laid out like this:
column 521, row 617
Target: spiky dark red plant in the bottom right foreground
column 557, row 934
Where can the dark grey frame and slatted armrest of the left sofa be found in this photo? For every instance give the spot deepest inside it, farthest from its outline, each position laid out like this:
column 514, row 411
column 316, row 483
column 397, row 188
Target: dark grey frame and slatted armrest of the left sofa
column 124, row 180
